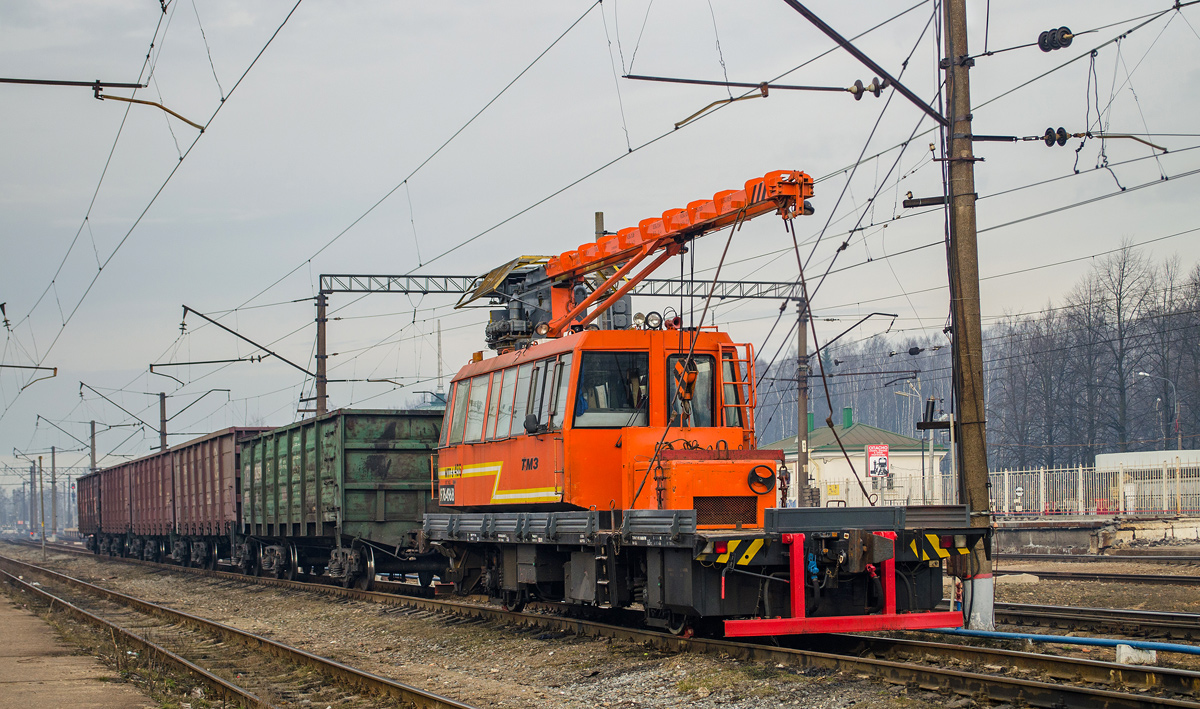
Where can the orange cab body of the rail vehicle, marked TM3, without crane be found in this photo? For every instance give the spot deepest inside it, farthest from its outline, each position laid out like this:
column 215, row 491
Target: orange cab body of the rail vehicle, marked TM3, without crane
column 569, row 465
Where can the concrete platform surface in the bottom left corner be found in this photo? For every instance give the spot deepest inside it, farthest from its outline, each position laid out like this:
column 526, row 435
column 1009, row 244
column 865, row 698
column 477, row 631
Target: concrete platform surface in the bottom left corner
column 38, row 671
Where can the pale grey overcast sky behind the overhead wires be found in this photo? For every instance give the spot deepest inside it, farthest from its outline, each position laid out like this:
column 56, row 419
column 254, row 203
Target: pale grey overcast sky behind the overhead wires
column 351, row 98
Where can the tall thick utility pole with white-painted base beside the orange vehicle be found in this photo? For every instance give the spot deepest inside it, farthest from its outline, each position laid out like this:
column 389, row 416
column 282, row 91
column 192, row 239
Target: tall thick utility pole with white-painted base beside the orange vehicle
column 979, row 596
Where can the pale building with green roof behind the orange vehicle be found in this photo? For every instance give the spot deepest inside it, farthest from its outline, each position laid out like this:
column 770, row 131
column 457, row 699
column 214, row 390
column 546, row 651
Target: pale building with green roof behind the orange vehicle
column 914, row 478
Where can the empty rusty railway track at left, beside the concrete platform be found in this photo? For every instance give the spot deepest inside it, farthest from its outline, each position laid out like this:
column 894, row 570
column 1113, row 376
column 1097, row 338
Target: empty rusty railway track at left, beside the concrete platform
column 237, row 666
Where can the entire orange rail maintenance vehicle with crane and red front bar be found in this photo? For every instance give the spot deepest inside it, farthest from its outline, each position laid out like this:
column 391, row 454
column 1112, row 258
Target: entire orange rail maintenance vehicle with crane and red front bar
column 608, row 460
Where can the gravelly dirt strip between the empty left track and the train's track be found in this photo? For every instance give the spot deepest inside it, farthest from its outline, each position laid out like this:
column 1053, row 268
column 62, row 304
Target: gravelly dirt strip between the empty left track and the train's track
column 490, row 664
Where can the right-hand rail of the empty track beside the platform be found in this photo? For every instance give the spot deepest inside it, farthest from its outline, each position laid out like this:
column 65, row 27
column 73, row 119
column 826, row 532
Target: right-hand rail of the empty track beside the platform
column 346, row 675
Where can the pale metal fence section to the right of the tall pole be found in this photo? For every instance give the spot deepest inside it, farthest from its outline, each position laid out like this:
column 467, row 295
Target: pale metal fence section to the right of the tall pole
column 1168, row 489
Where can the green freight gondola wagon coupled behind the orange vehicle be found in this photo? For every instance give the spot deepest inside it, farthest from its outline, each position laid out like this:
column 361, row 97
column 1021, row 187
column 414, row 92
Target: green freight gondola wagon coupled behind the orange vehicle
column 344, row 494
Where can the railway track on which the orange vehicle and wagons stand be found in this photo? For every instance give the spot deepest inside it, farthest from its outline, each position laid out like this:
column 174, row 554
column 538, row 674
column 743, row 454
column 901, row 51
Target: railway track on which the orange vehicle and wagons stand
column 951, row 669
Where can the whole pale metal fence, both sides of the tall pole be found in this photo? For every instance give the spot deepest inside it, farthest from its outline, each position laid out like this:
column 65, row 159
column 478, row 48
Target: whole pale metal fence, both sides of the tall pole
column 1166, row 489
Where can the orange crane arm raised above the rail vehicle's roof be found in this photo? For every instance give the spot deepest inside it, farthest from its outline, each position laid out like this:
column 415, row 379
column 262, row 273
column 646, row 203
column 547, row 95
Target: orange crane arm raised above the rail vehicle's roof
column 783, row 193
